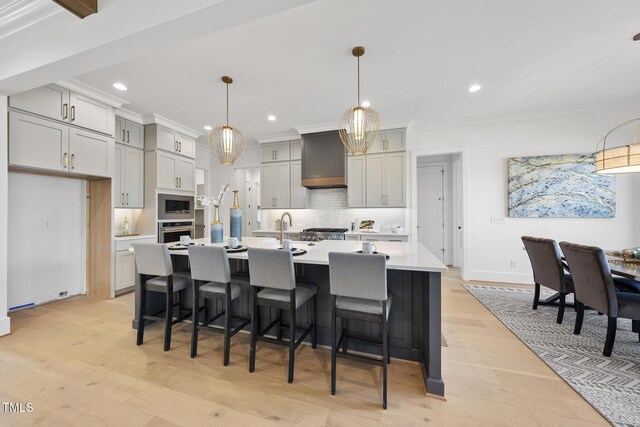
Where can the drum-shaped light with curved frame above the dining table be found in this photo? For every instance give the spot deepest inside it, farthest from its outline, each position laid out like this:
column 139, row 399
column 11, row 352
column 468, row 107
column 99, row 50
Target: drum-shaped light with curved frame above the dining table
column 616, row 160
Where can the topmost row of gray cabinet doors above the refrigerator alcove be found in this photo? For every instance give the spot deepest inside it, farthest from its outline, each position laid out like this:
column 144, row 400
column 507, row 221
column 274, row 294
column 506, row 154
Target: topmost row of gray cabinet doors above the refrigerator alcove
column 58, row 103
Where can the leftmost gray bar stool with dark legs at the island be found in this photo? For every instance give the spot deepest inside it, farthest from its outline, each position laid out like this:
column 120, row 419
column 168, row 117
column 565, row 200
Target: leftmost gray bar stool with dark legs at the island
column 156, row 274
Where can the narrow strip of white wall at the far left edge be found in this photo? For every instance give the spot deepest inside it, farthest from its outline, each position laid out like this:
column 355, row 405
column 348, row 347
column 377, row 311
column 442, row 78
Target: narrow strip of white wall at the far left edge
column 4, row 320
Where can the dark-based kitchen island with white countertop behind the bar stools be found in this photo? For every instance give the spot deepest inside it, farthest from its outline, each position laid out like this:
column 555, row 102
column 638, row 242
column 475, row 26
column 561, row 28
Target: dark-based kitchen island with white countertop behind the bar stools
column 413, row 278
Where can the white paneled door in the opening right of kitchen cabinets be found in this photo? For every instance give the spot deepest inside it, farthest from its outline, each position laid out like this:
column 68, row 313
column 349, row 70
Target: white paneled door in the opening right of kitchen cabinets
column 430, row 187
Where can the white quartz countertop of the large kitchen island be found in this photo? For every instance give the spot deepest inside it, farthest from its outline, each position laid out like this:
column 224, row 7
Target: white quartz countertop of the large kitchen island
column 410, row 256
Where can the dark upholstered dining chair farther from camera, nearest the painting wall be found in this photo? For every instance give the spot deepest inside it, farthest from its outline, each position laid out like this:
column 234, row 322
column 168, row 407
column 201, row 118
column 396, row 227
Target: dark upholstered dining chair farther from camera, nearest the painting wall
column 548, row 271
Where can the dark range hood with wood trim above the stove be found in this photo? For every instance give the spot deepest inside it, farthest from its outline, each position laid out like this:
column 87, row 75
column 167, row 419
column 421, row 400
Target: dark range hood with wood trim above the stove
column 323, row 160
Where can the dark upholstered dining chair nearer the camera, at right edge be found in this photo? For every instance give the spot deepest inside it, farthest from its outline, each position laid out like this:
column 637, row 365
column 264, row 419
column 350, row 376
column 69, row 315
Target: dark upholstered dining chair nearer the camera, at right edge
column 594, row 287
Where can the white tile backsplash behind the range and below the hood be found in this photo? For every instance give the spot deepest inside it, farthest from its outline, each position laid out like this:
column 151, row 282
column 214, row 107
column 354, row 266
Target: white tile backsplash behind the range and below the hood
column 328, row 208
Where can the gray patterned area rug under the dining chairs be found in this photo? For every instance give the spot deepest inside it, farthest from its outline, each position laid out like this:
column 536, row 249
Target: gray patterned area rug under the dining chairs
column 610, row 385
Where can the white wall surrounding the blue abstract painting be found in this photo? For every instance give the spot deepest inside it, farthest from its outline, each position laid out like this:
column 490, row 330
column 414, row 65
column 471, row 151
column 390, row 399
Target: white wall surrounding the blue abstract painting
column 487, row 146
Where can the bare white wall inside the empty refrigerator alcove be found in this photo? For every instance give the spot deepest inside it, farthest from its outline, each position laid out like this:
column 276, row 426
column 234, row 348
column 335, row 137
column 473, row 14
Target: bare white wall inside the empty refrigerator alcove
column 45, row 261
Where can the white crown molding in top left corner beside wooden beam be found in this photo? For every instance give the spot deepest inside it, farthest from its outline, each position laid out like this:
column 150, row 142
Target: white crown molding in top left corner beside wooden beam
column 17, row 15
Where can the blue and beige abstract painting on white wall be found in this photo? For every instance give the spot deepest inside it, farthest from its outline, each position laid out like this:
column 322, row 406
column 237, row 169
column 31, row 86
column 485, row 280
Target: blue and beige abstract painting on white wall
column 560, row 186
